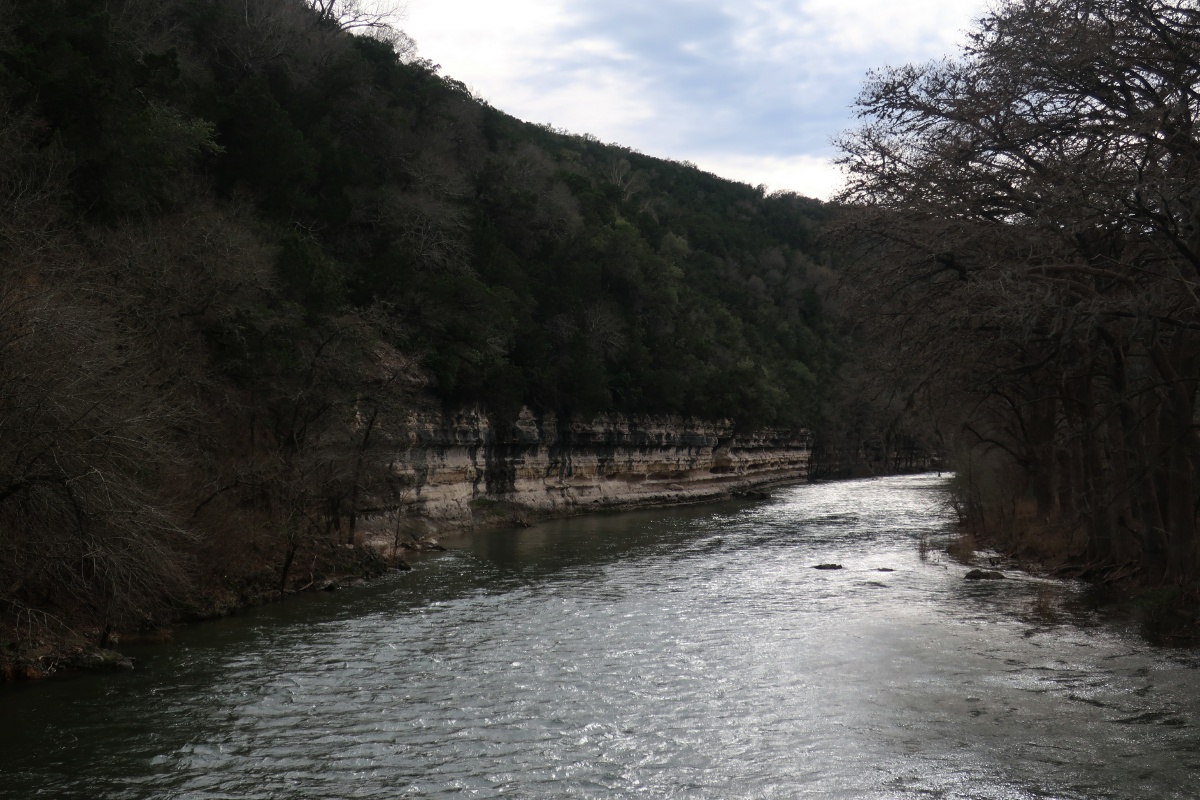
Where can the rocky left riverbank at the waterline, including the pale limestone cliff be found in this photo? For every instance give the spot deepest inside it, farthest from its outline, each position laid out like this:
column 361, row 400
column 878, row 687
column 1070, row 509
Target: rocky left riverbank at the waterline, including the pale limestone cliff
column 453, row 473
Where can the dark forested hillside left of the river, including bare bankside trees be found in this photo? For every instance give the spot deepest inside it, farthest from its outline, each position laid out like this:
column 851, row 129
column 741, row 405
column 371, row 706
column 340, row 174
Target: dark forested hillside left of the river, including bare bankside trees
column 238, row 239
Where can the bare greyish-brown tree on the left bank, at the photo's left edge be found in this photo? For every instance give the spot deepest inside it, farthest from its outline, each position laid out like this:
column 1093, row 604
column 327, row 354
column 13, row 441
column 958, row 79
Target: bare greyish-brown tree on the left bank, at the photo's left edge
column 85, row 429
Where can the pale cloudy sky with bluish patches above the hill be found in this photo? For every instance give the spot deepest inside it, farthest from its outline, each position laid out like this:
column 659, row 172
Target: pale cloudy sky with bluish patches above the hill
column 748, row 89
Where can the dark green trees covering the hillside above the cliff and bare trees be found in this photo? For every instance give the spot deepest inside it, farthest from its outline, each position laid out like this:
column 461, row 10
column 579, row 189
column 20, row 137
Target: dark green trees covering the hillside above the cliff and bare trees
column 524, row 266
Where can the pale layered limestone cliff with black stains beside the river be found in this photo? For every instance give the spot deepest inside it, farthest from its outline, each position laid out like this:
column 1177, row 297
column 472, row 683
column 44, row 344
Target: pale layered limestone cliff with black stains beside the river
column 454, row 470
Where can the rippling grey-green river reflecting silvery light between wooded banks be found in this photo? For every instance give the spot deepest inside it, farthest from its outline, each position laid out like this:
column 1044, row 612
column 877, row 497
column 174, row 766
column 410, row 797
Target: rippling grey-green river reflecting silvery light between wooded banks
column 688, row 653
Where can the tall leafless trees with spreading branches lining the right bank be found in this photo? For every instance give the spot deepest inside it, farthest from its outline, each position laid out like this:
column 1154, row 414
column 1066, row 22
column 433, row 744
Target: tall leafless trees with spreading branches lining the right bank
column 1028, row 225
